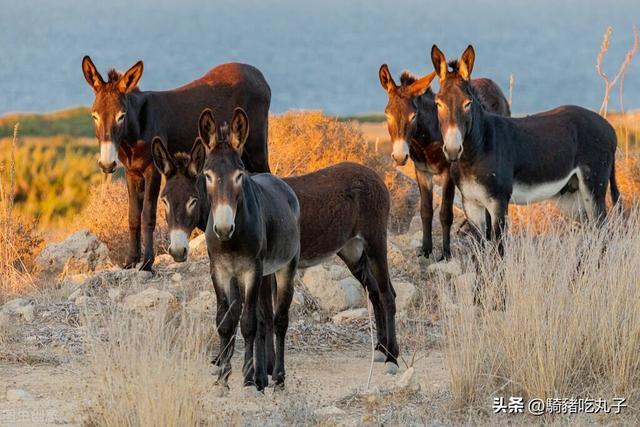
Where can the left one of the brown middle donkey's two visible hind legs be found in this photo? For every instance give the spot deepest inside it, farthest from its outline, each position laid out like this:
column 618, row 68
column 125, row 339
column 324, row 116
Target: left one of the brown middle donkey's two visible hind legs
column 356, row 260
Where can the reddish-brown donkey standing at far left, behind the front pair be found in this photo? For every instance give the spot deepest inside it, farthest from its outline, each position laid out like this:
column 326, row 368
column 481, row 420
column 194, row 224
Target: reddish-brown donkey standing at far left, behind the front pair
column 126, row 120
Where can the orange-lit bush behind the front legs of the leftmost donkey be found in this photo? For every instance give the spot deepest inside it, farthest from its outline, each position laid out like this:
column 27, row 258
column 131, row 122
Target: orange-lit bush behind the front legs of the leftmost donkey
column 107, row 216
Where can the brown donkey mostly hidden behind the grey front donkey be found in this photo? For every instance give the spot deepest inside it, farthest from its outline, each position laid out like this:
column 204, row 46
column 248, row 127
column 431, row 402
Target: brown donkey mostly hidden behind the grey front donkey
column 344, row 211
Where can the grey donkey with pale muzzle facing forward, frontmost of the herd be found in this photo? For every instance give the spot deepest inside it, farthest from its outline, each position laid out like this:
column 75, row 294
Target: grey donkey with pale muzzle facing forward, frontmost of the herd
column 252, row 231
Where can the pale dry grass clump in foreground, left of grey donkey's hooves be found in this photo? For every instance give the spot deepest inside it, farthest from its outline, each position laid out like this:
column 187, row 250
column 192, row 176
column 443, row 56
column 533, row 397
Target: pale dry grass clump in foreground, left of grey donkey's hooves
column 148, row 370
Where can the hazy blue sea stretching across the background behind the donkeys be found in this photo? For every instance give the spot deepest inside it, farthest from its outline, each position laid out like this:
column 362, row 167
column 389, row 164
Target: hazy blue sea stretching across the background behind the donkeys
column 316, row 55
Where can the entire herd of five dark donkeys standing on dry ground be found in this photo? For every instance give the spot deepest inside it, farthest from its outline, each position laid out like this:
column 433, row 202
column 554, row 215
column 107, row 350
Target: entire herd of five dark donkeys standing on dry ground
column 209, row 141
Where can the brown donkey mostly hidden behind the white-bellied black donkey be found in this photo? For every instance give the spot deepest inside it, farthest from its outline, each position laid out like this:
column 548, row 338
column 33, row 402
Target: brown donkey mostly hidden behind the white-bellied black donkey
column 412, row 122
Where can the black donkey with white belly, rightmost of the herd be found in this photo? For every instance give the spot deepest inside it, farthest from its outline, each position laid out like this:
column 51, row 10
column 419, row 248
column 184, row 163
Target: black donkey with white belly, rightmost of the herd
column 567, row 153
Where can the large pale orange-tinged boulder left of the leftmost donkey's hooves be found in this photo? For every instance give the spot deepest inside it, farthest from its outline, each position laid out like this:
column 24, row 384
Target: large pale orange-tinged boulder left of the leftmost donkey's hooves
column 79, row 253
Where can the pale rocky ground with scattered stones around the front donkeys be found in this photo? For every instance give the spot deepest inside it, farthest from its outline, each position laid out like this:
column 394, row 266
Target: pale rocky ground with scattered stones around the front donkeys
column 45, row 377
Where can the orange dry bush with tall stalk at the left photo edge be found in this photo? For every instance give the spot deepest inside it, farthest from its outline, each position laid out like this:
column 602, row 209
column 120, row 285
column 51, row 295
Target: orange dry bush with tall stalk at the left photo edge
column 18, row 238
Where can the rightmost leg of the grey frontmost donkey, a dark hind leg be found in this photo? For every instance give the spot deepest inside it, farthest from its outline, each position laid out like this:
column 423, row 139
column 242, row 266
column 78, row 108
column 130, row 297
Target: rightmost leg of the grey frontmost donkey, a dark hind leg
column 284, row 279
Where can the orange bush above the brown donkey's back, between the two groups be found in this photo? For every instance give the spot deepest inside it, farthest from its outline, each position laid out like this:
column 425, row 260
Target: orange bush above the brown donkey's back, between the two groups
column 303, row 142
